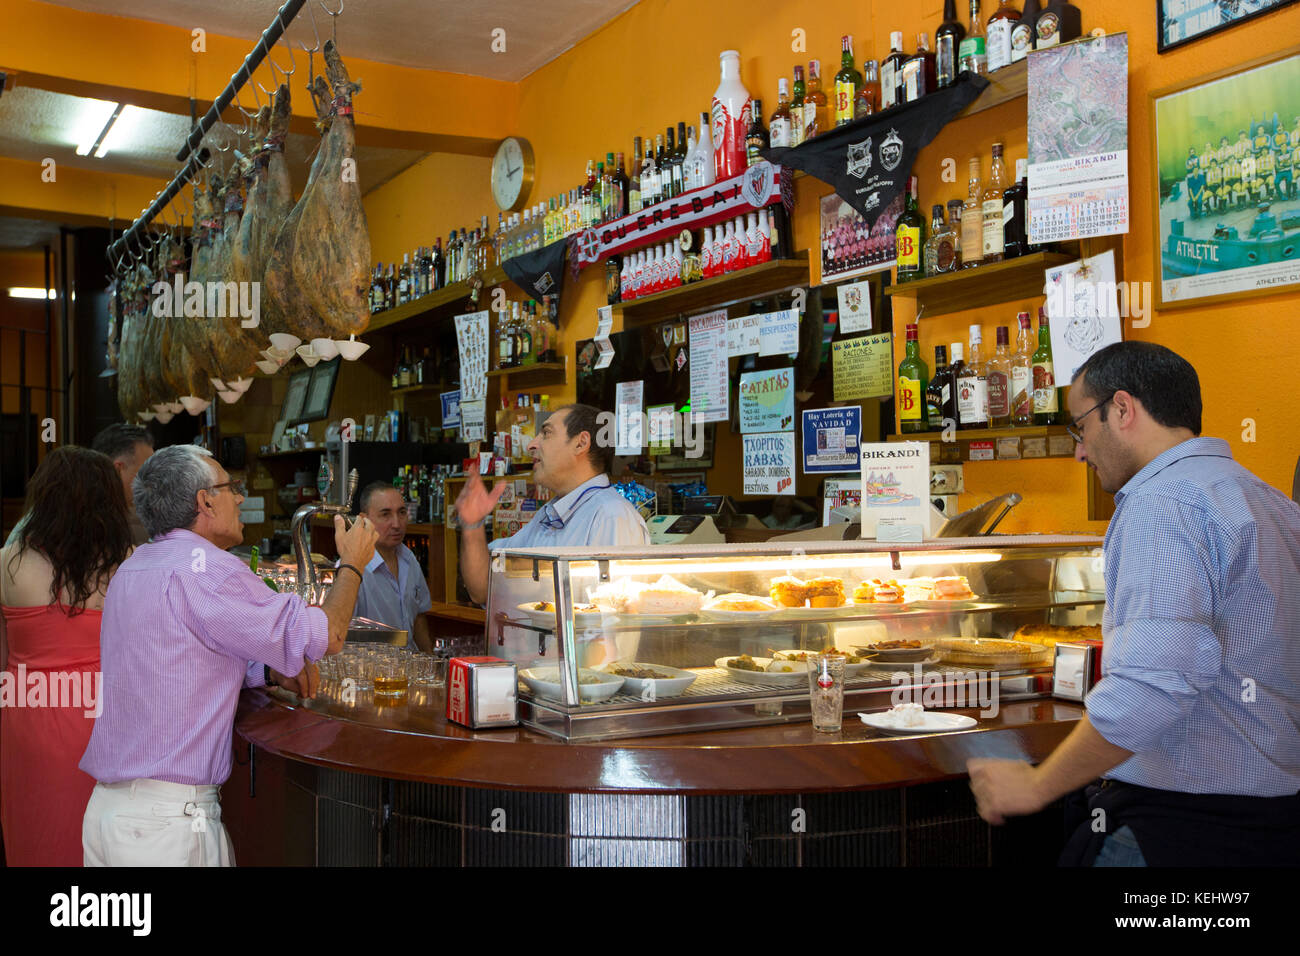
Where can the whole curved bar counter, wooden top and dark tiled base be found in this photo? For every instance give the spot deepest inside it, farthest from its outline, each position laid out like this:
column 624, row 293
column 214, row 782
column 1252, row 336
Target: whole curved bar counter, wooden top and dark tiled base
column 318, row 785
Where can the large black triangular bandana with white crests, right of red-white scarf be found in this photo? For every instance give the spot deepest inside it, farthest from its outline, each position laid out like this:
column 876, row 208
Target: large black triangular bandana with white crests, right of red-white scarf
column 869, row 161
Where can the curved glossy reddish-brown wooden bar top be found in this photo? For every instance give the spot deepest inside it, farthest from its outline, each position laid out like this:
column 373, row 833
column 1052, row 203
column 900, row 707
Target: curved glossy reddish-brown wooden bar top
column 782, row 759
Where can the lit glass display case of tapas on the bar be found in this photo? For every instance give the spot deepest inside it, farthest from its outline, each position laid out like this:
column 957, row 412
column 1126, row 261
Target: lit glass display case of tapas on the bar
column 635, row 642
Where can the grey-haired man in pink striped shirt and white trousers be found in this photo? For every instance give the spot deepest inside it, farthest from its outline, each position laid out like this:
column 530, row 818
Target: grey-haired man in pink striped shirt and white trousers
column 187, row 626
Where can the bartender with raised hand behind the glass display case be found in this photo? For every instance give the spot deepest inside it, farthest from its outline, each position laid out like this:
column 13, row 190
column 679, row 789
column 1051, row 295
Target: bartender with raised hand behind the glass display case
column 587, row 511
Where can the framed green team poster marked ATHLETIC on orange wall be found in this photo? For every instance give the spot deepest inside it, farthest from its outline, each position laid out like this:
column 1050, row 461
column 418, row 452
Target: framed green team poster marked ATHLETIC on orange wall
column 1228, row 154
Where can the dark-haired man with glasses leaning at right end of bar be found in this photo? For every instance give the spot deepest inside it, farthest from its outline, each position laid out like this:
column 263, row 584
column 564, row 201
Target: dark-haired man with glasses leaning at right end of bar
column 1195, row 726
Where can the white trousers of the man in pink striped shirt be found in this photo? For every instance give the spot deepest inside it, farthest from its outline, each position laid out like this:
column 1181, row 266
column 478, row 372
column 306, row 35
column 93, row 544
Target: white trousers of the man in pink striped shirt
column 155, row 824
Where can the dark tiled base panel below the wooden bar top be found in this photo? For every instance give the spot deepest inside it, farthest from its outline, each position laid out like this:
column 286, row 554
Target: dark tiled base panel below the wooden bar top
column 353, row 820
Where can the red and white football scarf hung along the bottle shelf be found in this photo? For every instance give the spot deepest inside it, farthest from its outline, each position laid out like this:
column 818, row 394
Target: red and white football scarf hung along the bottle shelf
column 757, row 188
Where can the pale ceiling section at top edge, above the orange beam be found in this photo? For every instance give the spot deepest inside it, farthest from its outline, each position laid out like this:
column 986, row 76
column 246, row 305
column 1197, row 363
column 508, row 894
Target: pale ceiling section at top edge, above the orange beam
column 452, row 36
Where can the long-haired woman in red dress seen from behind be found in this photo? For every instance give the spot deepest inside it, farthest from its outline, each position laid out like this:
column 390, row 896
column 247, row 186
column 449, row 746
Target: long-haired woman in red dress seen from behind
column 53, row 583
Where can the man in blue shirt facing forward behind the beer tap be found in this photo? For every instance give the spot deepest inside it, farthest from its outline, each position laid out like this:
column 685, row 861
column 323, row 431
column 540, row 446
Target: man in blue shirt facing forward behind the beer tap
column 393, row 589
